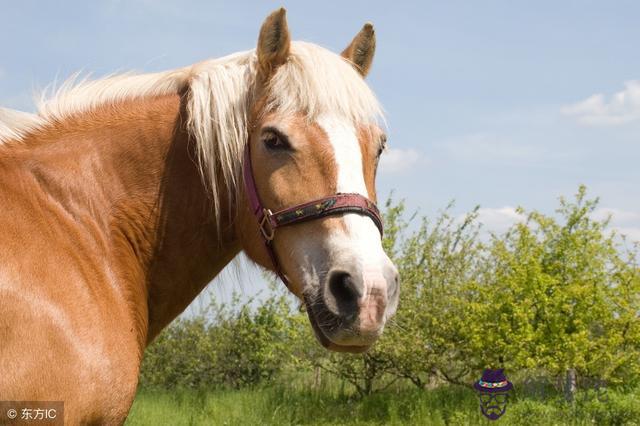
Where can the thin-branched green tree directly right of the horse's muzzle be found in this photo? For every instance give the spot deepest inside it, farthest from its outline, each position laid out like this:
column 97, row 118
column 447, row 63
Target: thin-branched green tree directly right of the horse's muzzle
column 434, row 262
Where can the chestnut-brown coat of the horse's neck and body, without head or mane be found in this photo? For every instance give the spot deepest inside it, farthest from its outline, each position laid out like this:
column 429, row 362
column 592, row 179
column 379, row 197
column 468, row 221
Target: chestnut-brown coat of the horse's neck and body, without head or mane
column 105, row 238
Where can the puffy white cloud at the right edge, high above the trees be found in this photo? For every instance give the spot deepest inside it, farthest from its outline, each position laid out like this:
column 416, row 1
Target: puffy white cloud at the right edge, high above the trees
column 623, row 107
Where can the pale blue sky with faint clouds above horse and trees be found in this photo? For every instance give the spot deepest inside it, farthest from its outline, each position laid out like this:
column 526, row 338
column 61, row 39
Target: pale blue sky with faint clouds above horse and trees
column 497, row 103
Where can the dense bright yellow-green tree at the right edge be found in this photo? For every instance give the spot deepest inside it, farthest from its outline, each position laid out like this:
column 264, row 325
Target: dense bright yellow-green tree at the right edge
column 558, row 296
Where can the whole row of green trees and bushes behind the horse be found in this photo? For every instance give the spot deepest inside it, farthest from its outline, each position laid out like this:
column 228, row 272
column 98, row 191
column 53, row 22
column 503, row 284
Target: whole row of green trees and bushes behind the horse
column 552, row 294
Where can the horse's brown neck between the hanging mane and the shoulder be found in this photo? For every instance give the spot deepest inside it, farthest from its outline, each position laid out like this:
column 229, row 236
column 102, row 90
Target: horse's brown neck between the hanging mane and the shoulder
column 144, row 185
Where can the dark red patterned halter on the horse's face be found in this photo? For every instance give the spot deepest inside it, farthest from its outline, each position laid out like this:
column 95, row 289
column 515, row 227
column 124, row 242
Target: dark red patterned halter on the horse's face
column 269, row 221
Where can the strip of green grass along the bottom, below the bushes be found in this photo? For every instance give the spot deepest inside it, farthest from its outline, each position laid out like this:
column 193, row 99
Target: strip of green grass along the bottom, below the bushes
column 282, row 405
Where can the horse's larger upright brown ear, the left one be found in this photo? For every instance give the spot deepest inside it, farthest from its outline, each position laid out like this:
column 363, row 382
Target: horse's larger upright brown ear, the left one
column 274, row 42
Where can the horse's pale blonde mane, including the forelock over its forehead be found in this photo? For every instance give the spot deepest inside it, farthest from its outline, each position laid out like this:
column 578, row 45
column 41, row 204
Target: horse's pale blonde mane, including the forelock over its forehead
column 220, row 94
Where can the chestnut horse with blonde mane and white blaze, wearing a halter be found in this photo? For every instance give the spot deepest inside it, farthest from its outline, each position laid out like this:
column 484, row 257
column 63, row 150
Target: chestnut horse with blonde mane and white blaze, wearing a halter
column 123, row 197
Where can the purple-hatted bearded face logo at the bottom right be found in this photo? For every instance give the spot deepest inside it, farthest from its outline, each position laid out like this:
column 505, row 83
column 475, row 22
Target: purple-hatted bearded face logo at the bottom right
column 493, row 391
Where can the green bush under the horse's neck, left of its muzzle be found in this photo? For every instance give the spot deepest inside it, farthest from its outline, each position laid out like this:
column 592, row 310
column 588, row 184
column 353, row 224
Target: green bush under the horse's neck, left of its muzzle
column 232, row 345
